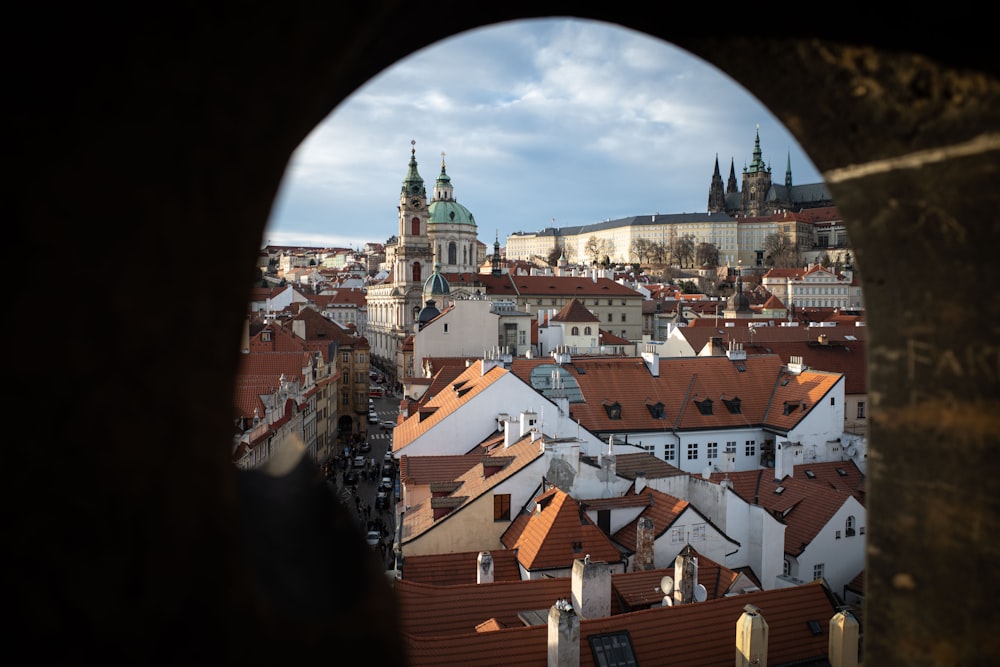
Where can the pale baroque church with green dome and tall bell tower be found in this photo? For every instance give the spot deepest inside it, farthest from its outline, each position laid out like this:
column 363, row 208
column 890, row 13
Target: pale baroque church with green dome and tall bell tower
column 435, row 236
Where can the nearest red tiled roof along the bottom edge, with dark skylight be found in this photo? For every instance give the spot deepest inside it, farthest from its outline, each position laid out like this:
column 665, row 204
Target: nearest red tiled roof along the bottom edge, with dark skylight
column 692, row 635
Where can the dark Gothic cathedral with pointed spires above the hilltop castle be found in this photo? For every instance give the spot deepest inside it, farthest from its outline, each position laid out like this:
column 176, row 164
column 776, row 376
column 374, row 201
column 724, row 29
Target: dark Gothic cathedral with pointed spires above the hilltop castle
column 759, row 196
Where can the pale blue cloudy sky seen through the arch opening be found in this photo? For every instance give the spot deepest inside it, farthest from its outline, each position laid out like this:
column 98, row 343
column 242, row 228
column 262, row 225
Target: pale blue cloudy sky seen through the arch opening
column 543, row 123
